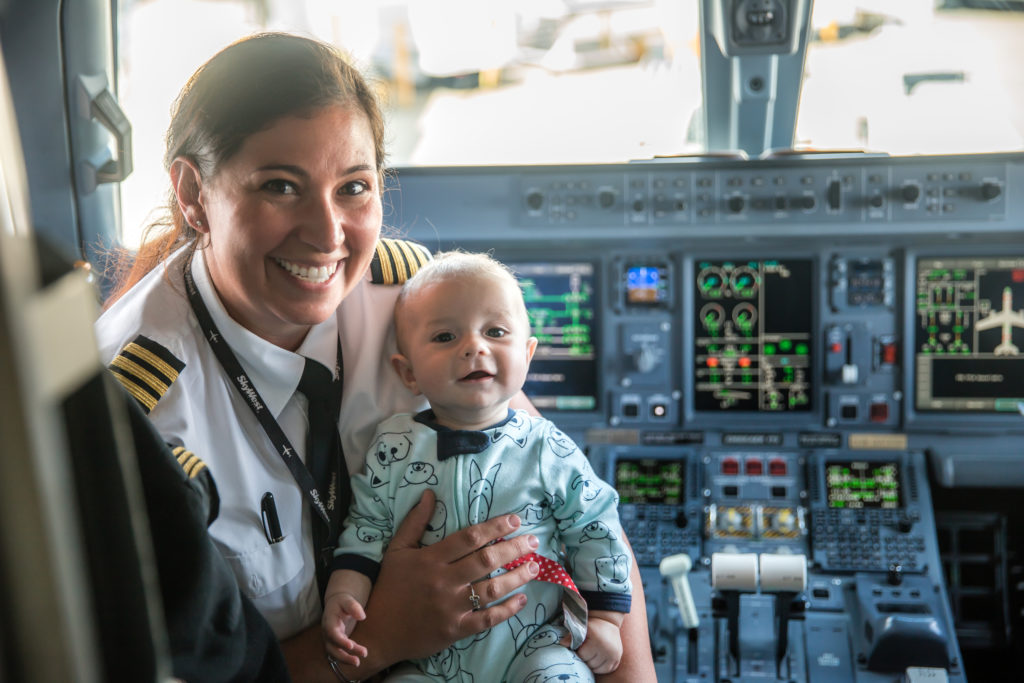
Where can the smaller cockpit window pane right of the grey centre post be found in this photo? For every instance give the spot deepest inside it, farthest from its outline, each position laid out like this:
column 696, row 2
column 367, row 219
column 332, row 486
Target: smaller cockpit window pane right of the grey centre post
column 920, row 77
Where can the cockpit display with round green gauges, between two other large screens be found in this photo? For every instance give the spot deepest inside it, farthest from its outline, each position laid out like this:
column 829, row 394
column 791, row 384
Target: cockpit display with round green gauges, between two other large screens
column 753, row 335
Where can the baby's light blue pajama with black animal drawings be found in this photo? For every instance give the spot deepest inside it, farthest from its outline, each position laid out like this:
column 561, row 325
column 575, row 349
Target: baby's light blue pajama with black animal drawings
column 524, row 465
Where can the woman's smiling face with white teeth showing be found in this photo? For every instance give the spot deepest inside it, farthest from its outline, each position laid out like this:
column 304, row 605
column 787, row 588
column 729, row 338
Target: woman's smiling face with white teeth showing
column 293, row 220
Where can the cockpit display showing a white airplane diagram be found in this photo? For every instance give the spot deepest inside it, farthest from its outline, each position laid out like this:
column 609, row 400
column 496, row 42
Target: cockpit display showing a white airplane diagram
column 970, row 335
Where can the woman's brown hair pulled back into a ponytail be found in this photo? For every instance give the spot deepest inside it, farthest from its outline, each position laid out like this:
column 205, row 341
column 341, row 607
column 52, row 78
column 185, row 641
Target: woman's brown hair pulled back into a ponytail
column 242, row 91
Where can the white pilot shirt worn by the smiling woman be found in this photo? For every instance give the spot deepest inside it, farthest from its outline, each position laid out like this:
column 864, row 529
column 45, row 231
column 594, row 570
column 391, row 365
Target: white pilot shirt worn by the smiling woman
column 204, row 412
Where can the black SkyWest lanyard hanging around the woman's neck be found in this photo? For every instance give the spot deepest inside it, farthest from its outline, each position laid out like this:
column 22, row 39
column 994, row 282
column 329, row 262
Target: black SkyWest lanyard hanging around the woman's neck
column 329, row 511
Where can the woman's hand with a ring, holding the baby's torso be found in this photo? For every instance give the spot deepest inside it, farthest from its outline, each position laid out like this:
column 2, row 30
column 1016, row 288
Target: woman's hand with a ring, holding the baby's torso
column 421, row 602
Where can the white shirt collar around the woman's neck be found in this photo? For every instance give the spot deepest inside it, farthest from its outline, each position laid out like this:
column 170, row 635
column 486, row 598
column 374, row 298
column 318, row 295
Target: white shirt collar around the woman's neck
column 274, row 371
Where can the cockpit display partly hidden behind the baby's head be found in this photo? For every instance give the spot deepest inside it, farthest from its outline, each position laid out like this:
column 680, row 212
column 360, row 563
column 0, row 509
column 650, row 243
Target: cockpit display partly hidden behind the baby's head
column 564, row 317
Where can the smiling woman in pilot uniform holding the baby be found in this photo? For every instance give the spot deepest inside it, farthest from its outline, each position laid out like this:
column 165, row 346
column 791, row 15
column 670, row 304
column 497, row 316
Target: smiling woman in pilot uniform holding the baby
column 276, row 157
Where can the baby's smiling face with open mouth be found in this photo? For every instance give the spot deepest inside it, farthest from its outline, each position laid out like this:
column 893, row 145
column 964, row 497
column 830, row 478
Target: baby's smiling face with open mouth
column 466, row 348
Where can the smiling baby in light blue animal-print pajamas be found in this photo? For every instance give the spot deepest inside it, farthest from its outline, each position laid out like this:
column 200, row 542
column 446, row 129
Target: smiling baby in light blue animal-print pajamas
column 463, row 335
